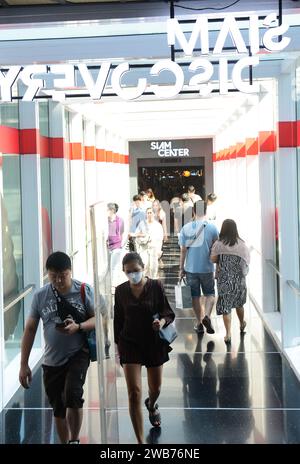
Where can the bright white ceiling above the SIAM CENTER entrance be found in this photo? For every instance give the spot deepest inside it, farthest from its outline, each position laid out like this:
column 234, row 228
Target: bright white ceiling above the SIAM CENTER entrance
column 183, row 117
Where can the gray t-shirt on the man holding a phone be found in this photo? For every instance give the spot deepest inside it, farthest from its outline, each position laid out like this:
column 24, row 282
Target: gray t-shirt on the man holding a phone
column 59, row 347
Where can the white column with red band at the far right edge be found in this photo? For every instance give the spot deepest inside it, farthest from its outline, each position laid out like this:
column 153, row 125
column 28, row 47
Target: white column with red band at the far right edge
column 288, row 211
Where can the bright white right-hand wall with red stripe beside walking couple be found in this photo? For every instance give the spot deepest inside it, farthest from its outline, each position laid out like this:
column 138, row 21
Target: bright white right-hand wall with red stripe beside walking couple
column 245, row 187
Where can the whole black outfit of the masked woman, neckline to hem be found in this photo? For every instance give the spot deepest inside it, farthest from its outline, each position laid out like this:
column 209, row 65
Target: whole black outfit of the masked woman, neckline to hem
column 137, row 342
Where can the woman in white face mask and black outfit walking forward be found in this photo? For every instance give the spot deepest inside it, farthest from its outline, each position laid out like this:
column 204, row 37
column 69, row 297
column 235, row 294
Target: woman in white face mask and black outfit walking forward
column 137, row 337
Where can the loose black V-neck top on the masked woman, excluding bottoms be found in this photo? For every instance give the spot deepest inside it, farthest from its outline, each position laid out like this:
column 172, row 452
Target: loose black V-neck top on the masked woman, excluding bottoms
column 133, row 316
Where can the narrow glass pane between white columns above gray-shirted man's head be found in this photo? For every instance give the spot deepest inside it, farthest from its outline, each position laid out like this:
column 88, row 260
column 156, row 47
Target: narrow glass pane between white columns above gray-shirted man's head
column 45, row 181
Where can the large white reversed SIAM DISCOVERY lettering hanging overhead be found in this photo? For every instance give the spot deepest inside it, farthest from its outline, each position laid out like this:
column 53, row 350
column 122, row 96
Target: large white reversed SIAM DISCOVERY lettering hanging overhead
column 58, row 80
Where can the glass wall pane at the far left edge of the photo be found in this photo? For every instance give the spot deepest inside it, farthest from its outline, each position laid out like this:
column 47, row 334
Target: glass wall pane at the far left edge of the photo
column 11, row 232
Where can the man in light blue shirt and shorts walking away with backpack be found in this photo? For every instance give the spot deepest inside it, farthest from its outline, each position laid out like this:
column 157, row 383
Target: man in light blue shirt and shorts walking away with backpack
column 195, row 240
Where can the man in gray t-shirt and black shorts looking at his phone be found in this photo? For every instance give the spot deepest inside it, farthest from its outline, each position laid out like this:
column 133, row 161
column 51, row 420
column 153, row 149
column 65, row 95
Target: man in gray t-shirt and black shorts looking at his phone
column 66, row 357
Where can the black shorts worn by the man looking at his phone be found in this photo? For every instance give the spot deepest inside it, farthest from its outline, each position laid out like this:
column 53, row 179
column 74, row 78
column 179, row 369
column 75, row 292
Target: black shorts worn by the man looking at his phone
column 64, row 384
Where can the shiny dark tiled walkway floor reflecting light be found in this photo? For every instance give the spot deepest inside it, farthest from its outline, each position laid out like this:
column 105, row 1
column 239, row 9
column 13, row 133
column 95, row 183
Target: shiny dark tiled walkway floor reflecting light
column 211, row 392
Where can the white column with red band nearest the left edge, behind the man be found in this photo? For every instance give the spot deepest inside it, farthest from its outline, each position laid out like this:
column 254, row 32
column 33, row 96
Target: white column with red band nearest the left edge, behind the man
column 32, row 234
